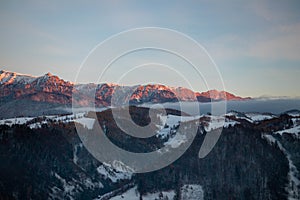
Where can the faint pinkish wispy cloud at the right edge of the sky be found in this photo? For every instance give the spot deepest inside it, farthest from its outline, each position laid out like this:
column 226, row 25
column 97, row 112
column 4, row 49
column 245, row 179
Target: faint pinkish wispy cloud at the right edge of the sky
column 277, row 43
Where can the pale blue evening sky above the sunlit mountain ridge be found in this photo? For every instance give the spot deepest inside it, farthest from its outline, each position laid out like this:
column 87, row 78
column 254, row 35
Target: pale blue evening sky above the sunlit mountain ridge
column 254, row 45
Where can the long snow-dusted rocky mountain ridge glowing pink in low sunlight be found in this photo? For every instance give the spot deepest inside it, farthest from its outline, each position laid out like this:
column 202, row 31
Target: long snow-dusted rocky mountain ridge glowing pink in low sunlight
column 21, row 89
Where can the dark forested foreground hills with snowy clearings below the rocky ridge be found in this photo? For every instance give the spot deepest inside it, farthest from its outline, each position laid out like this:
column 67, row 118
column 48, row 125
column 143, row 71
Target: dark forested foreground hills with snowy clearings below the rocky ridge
column 256, row 157
